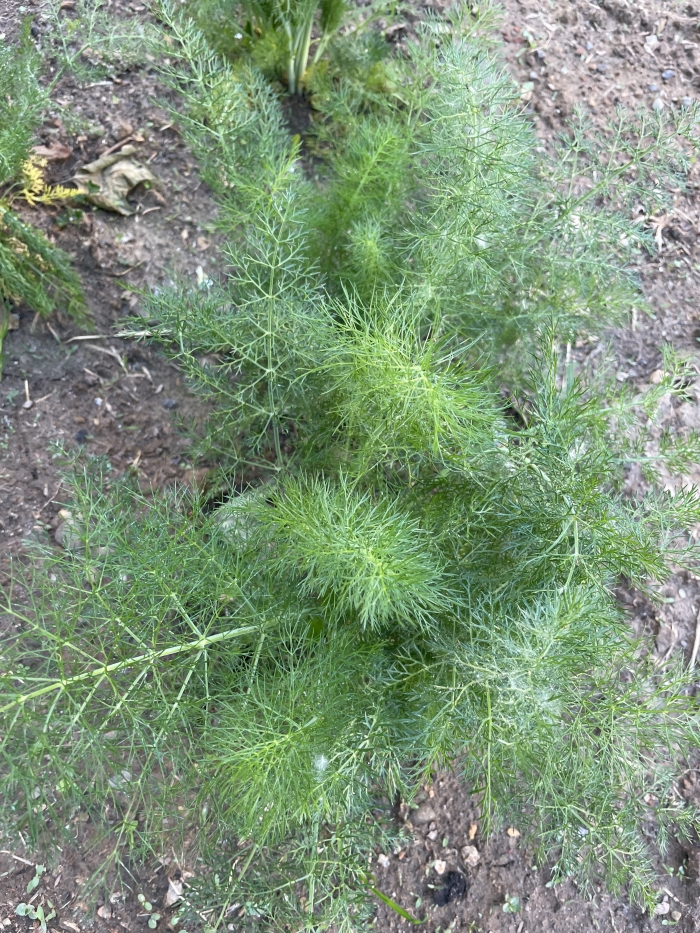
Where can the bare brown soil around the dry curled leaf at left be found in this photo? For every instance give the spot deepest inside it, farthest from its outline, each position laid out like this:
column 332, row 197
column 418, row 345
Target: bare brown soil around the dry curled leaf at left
column 87, row 387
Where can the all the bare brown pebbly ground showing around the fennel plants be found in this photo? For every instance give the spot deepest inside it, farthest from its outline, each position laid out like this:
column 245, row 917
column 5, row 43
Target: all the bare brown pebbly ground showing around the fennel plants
column 123, row 400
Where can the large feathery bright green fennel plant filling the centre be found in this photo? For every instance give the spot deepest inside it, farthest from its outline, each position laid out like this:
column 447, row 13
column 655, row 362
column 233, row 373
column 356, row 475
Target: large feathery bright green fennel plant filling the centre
column 400, row 574
